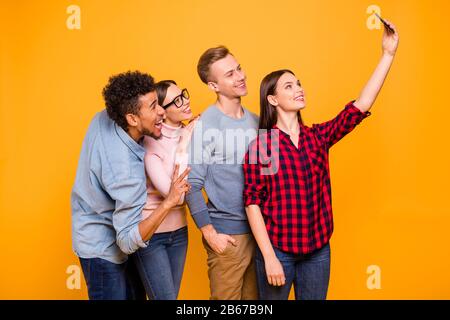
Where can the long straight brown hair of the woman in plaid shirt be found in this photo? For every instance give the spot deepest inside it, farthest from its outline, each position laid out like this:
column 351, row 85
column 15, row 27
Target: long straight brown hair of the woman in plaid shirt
column 268, row 114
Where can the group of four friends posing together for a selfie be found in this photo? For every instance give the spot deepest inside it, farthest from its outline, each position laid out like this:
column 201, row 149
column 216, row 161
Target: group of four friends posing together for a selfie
column 268, row 220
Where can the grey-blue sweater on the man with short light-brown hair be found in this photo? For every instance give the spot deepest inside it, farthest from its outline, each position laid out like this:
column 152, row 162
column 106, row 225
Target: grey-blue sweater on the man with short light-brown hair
column 216, row 155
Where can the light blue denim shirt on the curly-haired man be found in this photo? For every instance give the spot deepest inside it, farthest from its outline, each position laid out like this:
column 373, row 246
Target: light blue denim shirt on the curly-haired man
column 109, row 193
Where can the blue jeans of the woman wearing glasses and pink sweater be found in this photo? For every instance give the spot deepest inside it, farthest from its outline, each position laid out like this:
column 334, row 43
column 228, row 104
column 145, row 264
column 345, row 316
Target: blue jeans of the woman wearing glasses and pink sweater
column 161, row 264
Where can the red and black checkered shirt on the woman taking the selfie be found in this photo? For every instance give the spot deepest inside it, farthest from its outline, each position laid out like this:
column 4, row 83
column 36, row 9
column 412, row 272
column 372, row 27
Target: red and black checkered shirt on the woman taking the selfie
column 292, row 186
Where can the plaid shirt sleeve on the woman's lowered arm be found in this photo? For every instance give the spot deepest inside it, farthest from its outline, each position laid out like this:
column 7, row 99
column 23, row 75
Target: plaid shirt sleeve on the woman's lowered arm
column 255, row 191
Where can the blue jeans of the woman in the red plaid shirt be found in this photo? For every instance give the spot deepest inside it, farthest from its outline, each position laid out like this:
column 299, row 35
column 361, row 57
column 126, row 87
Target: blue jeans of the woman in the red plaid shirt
column 309, row 273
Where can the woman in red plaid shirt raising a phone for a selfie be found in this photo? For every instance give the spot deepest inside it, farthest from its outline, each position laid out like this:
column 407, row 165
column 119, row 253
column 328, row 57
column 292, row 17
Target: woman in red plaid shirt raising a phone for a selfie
column 287, row 182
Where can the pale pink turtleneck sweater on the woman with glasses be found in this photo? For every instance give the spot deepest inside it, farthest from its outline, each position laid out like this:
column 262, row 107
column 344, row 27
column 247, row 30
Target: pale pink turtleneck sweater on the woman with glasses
column 160, row 158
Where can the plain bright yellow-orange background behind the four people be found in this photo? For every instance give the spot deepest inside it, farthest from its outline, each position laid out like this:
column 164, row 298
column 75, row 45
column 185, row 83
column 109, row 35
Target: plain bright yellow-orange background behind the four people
column 389, row 177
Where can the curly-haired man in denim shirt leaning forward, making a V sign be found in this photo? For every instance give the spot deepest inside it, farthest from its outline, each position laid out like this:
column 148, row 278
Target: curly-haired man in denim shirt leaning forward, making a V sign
column 110, row 192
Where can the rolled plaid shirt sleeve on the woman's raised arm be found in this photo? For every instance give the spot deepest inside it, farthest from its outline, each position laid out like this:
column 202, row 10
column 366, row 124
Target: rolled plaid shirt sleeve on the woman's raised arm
column 334, row 130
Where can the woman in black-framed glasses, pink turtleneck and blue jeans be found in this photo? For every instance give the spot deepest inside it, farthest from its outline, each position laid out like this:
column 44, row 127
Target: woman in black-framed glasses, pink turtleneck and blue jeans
column 161, row 263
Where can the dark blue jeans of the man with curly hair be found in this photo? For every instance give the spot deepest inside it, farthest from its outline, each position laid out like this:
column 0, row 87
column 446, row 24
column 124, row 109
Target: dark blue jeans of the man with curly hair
column 109, row 281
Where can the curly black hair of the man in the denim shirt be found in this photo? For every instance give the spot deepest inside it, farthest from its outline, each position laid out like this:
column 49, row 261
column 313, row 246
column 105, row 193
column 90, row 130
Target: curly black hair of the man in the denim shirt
column 122, row 94
